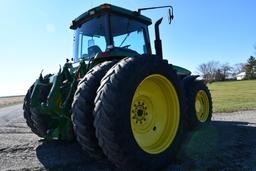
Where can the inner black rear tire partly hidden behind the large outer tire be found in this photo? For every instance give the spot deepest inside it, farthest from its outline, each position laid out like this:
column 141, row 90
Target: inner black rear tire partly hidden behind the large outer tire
column 83, row 106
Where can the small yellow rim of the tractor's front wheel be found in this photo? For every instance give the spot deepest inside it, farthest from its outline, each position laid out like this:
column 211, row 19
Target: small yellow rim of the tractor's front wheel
column 202, row 106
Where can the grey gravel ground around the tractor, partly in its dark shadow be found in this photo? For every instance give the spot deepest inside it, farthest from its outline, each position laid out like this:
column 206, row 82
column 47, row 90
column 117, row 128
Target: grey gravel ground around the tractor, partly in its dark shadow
column 228, row 143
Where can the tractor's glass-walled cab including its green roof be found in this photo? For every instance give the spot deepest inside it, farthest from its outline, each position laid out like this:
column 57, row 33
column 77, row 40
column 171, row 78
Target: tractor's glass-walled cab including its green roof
column 110, row 31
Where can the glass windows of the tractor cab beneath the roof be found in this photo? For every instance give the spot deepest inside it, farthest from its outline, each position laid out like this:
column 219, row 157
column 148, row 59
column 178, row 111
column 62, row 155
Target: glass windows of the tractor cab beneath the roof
column 104, row 32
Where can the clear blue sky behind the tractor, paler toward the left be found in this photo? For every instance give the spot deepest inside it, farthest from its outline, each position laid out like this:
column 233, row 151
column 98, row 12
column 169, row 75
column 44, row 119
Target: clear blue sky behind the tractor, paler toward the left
column 35, row 34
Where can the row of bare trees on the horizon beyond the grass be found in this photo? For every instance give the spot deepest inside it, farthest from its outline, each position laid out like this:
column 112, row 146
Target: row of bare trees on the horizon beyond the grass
column 215, row 71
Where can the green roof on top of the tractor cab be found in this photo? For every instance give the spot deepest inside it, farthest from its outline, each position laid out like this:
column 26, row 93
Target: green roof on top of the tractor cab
column 108, row 8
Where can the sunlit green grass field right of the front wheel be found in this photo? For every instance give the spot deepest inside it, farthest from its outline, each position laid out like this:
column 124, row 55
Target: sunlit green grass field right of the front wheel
column 233, row 96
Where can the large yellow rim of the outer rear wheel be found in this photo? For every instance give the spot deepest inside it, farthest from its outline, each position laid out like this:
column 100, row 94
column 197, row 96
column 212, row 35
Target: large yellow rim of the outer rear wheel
column 155, row 114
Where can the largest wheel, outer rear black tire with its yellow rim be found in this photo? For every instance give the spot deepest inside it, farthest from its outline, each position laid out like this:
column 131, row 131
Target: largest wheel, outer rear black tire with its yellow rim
column 114, row 121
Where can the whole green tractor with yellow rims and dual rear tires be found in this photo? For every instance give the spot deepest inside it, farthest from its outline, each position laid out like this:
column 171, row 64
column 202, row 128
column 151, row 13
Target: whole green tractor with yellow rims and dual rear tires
column 116, row 98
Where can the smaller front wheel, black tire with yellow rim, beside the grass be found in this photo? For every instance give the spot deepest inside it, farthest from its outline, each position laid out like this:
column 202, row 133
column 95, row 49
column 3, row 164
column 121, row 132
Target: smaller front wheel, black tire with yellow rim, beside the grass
column 199, row 105
